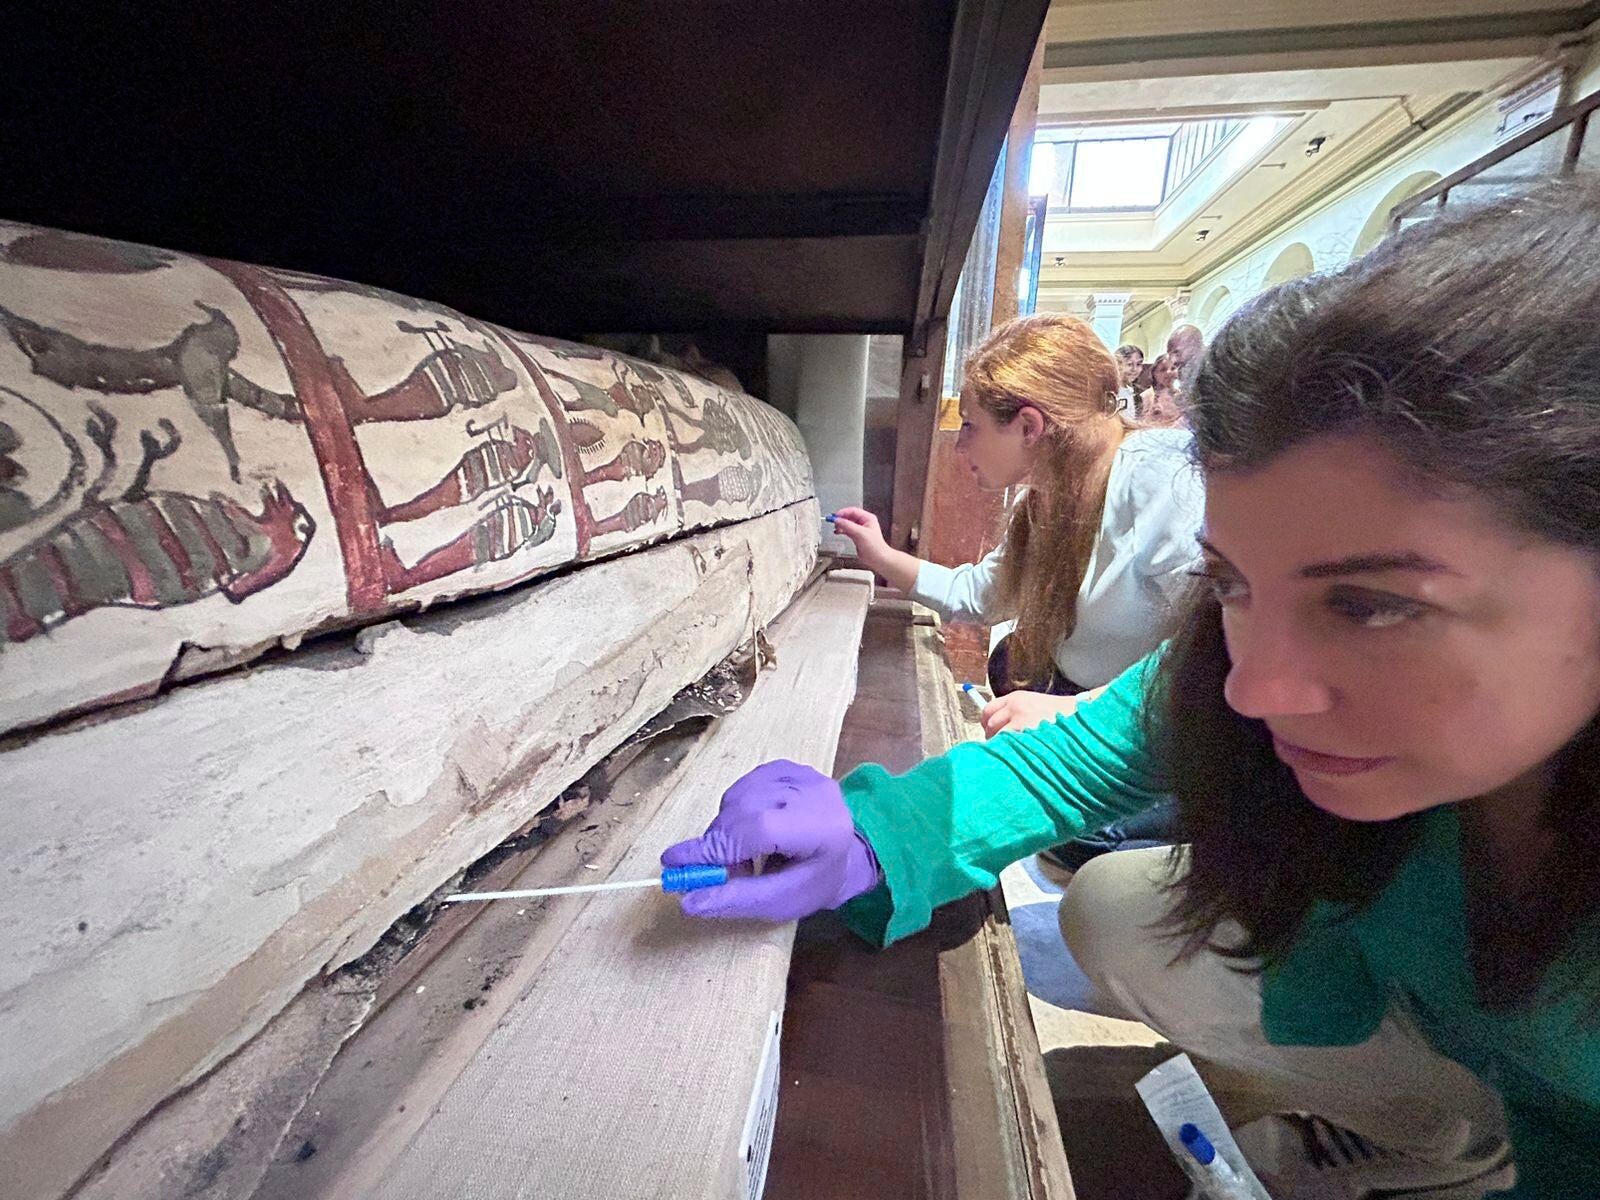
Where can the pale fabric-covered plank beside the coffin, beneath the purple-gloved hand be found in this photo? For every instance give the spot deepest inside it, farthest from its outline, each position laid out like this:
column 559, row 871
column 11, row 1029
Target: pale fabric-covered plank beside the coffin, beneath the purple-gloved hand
column 628, row 1066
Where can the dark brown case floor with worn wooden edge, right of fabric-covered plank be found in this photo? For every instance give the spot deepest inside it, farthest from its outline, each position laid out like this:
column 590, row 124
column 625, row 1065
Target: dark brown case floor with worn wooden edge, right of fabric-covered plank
column 913, row 1071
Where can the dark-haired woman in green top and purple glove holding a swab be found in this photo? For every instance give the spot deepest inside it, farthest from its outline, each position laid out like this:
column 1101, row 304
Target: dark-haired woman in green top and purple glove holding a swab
column 1380, row 721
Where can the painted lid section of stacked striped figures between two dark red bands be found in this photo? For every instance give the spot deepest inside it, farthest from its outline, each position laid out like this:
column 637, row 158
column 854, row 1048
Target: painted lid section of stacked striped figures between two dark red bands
column 438, row 425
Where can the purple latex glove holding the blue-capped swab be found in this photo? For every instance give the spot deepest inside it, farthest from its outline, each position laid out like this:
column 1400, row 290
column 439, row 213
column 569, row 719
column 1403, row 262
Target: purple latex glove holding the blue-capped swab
column 793, row 812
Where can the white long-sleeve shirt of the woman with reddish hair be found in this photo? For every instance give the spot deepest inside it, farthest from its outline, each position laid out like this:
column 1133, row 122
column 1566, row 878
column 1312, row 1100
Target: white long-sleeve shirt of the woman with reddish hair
column 1148, row 543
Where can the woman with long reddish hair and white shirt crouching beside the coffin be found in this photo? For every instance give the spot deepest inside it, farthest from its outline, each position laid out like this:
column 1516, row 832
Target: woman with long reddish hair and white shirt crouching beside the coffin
column 1097, row 546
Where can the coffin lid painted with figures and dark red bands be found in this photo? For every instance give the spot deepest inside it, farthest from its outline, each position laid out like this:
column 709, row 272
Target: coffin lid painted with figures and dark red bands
column 201, row 460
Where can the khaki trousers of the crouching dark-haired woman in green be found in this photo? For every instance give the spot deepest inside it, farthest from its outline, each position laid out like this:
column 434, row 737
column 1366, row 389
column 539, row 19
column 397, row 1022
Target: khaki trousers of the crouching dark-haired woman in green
column 1394, row 1089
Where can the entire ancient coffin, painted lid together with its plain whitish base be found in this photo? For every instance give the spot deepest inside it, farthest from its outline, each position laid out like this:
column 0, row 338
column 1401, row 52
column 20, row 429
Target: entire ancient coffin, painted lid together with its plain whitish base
column 204, row 462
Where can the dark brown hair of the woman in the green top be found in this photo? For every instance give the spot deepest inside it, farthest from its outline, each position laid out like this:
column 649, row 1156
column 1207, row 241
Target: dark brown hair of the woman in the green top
column 1470, row 348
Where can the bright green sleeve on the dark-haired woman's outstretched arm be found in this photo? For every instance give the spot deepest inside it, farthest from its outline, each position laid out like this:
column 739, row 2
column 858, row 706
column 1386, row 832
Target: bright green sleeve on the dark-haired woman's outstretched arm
column 951, row 825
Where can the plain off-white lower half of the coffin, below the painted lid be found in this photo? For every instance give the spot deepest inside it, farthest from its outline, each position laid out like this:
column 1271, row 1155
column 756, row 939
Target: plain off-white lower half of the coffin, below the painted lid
column 180, row 873
